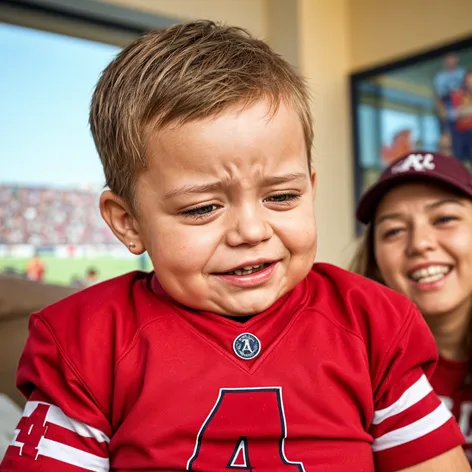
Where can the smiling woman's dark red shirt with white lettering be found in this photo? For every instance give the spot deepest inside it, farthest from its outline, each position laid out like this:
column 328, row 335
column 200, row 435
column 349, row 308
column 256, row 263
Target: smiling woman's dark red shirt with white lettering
column 449, row 382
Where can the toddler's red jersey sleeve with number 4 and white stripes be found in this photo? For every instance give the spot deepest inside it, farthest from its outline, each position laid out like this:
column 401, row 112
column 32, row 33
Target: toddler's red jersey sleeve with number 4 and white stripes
column 63, row 428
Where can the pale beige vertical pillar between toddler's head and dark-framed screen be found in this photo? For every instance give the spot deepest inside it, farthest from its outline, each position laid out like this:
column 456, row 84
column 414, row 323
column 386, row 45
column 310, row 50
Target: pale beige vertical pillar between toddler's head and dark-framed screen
column 324, row 59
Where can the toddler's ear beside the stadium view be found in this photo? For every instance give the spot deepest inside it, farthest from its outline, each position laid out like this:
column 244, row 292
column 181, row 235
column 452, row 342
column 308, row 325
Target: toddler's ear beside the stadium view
column 119, row 217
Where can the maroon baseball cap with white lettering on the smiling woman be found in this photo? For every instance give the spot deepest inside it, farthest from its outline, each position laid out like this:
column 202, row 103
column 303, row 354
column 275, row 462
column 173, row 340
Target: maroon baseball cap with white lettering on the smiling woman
column 415, row 166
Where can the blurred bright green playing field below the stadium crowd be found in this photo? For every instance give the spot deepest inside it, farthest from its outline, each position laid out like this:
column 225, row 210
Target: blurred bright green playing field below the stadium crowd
column 61, row 271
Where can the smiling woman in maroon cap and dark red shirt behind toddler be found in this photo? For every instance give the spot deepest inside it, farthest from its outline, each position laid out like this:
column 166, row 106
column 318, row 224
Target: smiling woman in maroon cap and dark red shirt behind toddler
column 419, row 242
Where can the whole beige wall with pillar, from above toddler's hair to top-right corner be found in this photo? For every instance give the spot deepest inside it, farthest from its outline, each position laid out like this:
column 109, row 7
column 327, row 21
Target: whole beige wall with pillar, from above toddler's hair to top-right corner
column 327, row 39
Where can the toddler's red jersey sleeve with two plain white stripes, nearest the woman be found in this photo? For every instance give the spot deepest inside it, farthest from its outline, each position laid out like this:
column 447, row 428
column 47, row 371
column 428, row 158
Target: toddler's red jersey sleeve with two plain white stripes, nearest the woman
column 410, row 424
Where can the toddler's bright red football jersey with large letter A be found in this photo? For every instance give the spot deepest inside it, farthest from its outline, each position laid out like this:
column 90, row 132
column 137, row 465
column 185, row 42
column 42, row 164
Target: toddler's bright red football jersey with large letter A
column 333, row 377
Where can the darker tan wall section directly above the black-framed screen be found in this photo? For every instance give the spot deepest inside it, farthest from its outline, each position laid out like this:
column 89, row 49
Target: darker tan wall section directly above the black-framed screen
column 385, row 30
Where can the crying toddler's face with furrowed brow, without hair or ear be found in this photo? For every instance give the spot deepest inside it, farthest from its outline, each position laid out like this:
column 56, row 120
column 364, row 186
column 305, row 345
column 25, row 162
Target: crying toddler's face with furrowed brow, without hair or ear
column 225, row 209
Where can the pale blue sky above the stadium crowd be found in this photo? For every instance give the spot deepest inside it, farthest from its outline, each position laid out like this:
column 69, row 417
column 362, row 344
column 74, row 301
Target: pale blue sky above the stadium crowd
column 47, row 82
